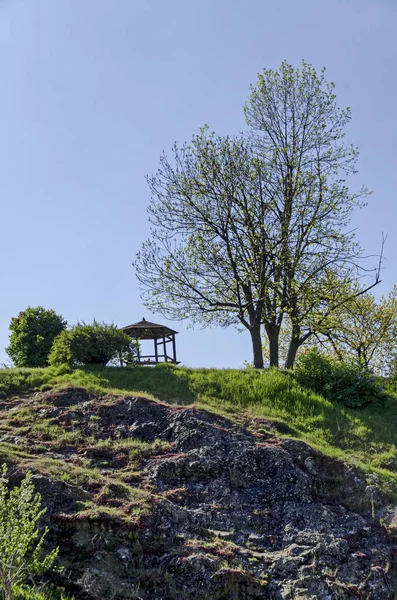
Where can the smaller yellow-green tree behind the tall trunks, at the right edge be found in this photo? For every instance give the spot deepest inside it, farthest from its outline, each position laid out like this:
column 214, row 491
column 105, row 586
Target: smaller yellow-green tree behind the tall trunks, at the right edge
column 361, row 329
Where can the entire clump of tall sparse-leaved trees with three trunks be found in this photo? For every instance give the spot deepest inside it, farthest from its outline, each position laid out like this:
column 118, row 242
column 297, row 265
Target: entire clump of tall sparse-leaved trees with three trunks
column 243, row 226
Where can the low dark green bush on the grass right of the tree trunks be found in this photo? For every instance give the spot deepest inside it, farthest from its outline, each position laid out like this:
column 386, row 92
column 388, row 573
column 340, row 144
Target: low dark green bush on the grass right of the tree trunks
column 343, row 382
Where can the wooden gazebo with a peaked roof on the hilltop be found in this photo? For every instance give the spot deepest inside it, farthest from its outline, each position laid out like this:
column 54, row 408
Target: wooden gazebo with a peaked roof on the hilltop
column 162, row 337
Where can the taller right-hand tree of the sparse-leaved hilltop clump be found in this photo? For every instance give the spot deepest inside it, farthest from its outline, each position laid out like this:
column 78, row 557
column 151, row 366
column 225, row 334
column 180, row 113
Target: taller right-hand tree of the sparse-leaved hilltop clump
column 298, row 129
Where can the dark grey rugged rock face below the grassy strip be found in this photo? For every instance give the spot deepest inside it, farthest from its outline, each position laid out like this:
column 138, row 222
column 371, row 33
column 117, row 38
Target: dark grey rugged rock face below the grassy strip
column 235, row 513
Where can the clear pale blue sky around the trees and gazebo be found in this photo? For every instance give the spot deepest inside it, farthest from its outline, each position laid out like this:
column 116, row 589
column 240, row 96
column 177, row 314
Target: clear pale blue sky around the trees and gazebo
column 92, row 92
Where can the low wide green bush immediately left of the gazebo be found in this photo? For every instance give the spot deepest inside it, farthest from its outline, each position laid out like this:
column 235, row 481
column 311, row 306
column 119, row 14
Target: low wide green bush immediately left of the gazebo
column 95, row 344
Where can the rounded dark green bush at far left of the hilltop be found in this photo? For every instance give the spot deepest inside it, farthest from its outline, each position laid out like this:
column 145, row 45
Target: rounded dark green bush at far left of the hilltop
column 33, row 332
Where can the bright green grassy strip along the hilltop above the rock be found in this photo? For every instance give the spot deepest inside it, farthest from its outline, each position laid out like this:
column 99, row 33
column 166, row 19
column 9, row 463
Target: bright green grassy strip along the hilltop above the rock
column 366, row 438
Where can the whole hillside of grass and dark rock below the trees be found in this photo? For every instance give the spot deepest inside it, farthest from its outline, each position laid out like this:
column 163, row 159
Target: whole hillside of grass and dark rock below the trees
column 201, row 484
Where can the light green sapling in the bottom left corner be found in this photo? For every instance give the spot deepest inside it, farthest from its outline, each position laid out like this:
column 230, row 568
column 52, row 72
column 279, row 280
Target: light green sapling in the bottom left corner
column 21, row 543
